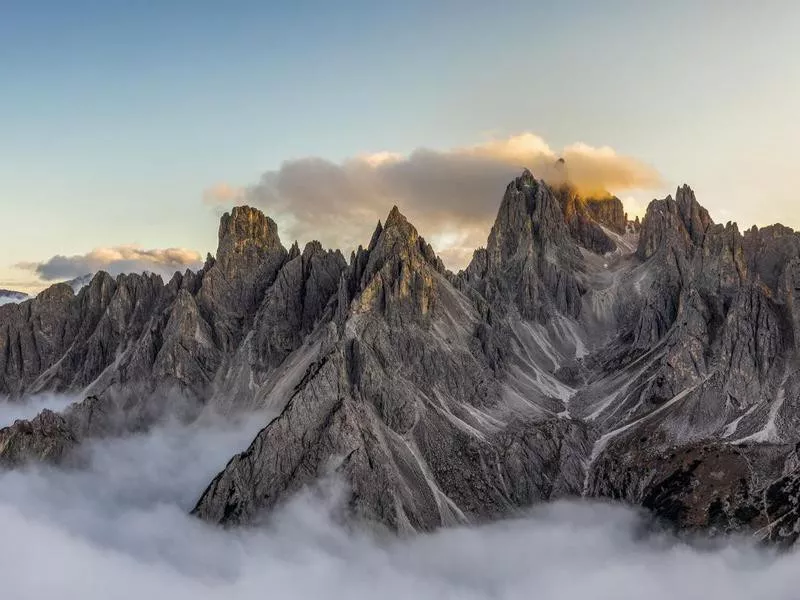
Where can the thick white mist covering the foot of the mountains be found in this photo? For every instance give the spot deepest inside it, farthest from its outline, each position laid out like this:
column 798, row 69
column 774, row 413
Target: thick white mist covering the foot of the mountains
column 120, row 529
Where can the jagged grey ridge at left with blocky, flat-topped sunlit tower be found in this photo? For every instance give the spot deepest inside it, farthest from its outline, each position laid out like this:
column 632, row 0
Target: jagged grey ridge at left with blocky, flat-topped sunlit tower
column 135, row 332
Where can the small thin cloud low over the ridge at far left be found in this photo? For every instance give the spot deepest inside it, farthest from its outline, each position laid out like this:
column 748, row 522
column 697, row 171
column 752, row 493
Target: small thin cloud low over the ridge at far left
column 116, row 260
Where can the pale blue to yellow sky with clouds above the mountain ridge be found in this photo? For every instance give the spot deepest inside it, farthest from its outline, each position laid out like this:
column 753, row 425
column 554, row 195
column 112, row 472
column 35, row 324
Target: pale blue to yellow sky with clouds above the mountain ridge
column 126, row 129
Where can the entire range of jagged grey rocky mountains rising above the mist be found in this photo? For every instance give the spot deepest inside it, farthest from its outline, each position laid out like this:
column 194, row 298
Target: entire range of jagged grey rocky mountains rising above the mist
column 579, row 354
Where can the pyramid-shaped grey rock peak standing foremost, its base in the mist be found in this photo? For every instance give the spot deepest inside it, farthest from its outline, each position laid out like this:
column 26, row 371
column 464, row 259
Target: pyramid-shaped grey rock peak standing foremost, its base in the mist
column 405, row 407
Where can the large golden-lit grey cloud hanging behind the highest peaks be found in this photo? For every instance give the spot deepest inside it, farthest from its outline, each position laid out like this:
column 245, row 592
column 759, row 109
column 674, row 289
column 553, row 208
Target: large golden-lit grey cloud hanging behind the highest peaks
column 452, row 196
